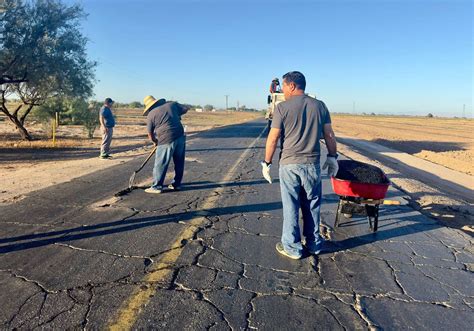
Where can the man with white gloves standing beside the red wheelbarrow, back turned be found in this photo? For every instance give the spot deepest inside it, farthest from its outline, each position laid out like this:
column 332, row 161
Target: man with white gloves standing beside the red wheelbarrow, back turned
column 300, row 122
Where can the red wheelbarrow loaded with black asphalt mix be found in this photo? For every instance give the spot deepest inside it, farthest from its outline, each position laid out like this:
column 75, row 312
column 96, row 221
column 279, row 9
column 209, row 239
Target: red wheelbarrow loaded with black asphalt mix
column 360, row 197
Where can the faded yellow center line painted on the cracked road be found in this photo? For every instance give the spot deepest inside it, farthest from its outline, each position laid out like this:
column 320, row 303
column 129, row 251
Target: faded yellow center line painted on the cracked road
column 130, row 310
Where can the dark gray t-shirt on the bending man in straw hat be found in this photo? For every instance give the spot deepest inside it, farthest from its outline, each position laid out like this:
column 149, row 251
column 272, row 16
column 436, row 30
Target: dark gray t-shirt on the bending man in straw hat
column 165, row 122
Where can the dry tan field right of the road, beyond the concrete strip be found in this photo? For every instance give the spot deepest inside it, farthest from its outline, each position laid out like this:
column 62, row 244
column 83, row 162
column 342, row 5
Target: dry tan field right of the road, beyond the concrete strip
column 445, row 141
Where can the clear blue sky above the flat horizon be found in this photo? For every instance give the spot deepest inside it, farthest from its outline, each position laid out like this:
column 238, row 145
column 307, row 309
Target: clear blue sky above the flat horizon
column 387, row 57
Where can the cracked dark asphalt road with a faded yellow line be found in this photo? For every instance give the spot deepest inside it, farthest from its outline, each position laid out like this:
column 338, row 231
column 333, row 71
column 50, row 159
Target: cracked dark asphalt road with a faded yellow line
column 71, row 256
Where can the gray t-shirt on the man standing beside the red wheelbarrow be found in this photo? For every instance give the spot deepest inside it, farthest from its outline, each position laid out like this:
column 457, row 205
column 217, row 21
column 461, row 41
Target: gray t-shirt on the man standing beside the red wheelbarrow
column 301, row 120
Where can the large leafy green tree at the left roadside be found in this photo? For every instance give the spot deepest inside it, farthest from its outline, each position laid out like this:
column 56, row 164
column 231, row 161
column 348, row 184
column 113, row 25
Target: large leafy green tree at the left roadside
column 42, row 56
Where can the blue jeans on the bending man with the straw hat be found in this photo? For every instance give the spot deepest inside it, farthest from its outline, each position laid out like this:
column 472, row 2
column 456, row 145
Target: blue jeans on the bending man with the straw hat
column 175, row 150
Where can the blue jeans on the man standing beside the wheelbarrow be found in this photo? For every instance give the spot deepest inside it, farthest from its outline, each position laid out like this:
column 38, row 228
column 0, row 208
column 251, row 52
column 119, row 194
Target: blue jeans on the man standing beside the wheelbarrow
column 300, row 188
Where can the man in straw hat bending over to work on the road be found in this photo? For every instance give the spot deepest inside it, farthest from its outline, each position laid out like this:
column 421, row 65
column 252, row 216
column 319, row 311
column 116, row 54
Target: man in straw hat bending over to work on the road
column 167, row 133
